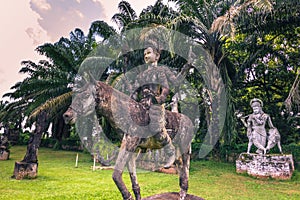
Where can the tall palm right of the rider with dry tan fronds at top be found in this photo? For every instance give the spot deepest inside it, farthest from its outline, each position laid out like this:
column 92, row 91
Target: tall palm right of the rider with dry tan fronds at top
column 212, row 23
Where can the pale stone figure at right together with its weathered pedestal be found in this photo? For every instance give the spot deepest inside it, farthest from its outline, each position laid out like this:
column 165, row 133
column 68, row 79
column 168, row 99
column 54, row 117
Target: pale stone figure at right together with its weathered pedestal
column 274, row 166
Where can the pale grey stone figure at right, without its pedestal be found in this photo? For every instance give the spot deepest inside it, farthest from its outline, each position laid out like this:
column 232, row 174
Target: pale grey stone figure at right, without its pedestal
column 256, row 130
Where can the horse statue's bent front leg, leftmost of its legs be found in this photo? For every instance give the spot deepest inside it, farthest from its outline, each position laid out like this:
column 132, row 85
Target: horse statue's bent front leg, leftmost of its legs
column 122, row 159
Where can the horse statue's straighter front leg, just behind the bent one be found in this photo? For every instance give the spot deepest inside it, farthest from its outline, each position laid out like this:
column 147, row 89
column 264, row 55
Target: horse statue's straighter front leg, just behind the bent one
column 133, row 177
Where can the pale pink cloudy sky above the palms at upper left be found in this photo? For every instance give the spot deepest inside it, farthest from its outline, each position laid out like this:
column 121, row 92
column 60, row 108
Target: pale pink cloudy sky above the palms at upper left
column 26, row 24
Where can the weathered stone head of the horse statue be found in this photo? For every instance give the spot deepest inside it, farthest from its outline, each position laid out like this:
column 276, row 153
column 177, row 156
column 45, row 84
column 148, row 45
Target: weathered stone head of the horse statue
column 83, row 103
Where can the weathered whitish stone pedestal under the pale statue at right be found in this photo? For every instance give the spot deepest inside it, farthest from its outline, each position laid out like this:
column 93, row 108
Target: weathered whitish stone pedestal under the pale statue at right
column 274, row 166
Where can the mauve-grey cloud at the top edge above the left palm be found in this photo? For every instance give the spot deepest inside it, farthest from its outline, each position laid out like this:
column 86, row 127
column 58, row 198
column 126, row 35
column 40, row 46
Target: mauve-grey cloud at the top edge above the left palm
column 65, row 16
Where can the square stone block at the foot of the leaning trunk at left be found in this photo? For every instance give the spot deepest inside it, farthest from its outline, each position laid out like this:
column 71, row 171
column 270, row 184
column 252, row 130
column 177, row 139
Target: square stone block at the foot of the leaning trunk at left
column 25, row 170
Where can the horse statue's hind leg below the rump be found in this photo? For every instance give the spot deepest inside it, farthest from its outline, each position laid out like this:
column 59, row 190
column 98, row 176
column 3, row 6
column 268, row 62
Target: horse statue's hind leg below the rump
column 183, row 167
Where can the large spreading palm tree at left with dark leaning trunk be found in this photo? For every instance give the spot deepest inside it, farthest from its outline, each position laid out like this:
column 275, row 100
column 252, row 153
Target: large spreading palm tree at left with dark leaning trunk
column 46, row 93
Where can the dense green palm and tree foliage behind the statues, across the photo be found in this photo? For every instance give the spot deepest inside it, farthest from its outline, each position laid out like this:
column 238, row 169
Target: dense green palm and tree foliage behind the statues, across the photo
column 254, row 43
